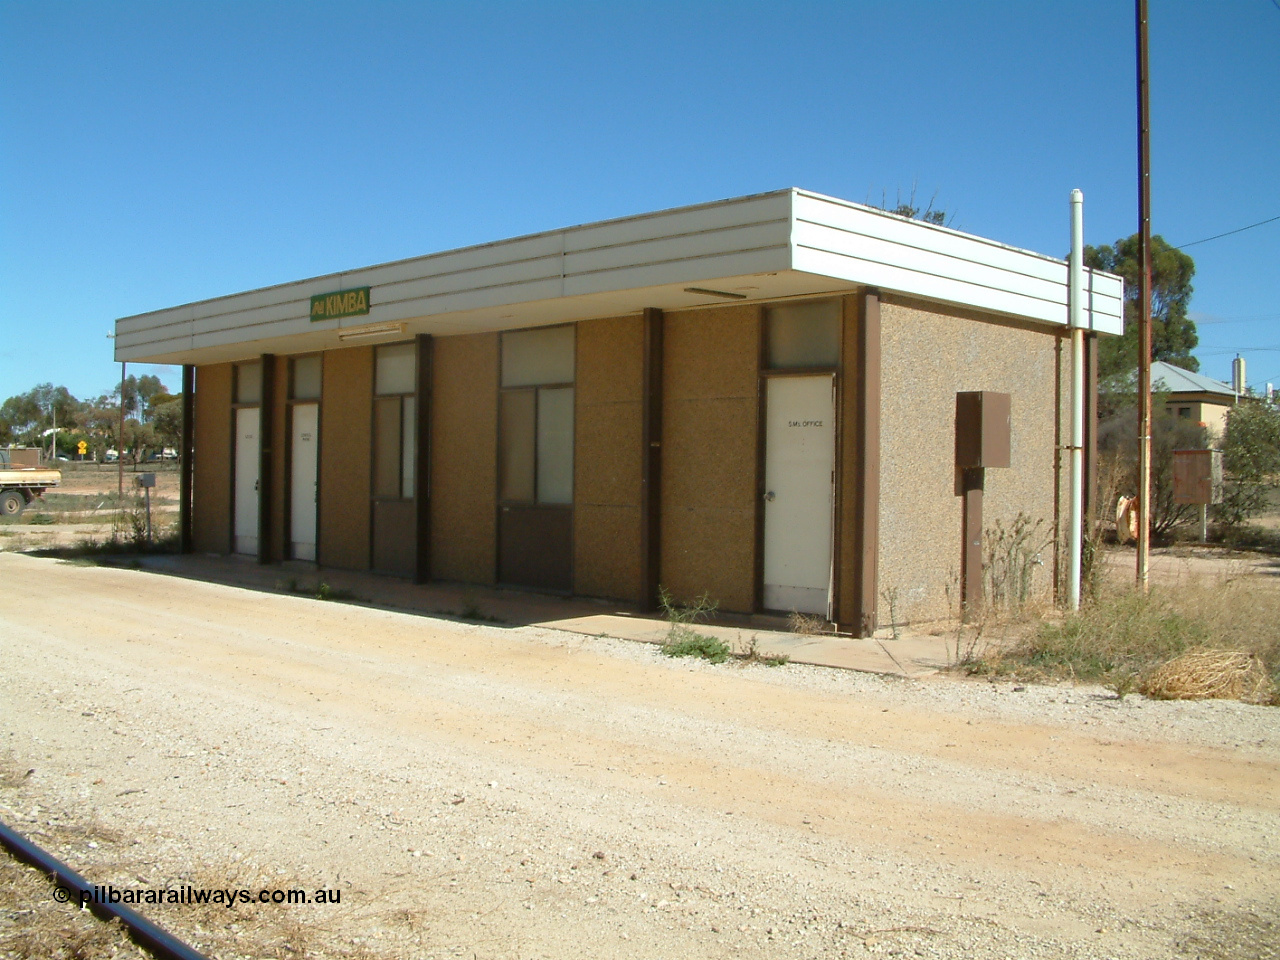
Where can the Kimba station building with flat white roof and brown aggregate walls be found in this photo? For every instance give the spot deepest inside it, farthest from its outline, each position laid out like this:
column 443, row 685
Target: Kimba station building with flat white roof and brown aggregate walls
column 785, row 401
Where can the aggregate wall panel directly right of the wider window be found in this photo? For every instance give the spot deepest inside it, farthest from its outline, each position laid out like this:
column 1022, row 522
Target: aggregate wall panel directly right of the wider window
column 609, row 459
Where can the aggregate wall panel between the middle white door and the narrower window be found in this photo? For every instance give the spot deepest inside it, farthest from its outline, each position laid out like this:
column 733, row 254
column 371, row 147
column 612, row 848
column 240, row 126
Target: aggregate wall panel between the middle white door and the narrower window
column 345, row 456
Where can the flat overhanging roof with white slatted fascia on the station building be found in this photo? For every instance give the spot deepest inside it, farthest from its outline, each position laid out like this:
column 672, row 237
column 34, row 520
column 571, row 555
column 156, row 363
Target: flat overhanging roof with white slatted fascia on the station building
column 762, row 248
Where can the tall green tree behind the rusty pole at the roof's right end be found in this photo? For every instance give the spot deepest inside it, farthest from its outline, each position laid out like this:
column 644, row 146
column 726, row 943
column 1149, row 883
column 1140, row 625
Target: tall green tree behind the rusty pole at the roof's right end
column 1173, row 333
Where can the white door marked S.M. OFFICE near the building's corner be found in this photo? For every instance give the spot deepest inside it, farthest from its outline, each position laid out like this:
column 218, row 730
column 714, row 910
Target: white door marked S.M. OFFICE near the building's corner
column 799, row 464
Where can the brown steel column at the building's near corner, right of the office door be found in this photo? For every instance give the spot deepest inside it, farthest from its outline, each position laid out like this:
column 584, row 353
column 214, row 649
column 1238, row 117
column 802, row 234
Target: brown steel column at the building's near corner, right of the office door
column 866, row 555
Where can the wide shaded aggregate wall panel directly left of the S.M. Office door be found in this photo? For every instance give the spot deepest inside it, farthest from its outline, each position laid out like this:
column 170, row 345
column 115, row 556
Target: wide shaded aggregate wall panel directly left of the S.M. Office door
column 711, row 410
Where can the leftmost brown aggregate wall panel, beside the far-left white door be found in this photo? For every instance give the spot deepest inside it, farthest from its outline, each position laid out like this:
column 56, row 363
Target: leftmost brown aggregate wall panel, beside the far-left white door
column 212, row 481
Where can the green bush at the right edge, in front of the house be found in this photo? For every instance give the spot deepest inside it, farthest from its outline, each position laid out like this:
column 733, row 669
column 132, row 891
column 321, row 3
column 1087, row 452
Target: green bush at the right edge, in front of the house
column 1251, row 460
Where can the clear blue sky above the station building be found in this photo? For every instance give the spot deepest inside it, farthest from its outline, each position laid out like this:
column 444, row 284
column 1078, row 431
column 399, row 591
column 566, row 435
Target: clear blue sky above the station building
column 153, row 154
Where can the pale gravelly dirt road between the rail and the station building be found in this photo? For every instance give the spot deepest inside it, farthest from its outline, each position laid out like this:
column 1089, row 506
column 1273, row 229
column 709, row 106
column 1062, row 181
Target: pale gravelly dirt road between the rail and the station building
column 520, row 793
